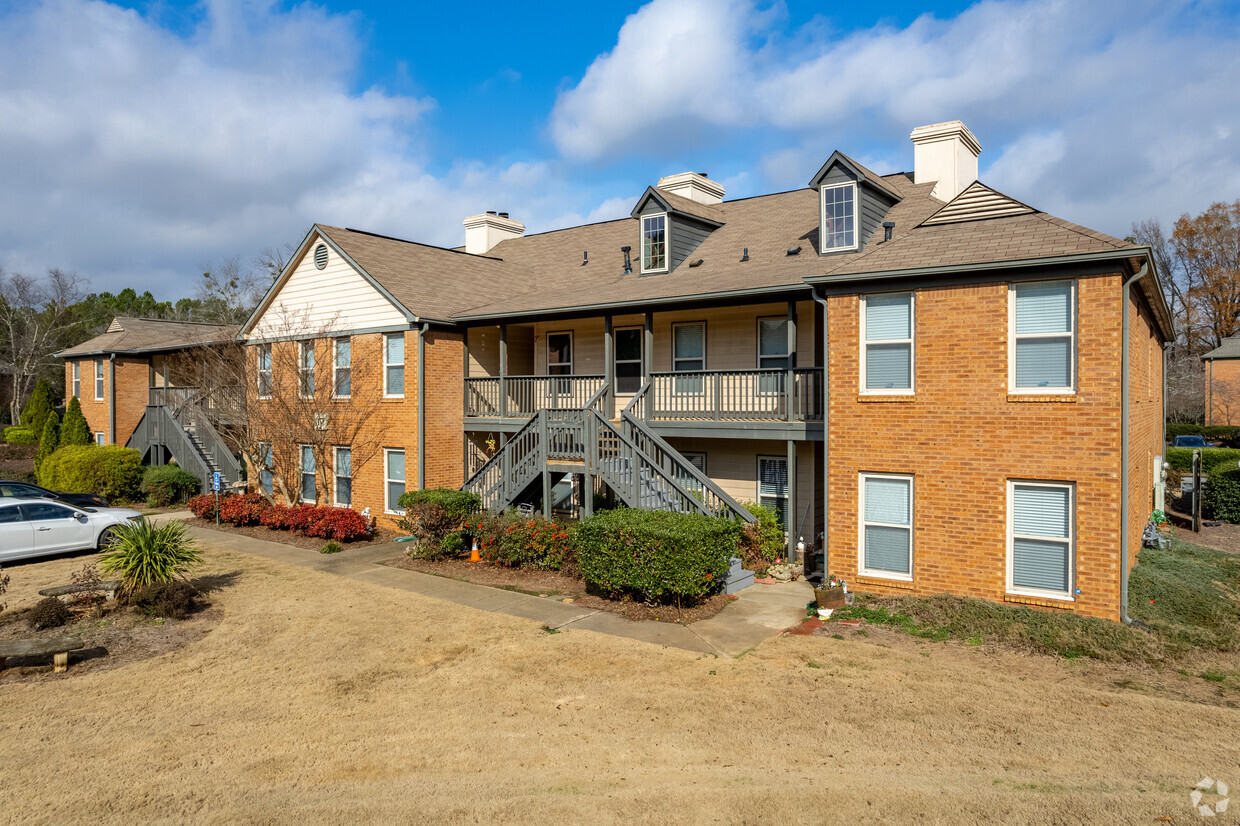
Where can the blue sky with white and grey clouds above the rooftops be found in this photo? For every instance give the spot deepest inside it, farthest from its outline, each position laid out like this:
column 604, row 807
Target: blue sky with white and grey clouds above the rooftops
column 143, row 143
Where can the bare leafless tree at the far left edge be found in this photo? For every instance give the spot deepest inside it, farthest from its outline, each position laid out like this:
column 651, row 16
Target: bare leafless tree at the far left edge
column 35, row 323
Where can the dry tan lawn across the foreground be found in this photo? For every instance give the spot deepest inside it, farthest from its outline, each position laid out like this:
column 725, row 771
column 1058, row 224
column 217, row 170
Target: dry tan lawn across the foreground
column 324, row 700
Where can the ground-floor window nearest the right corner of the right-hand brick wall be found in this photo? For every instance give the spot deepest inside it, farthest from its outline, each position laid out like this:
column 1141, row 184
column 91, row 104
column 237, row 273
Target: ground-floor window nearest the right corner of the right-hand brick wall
column 1042, row 539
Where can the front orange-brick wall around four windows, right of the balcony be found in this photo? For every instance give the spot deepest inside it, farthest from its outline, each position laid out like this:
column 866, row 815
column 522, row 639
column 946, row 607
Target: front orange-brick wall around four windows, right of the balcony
column 964, row 437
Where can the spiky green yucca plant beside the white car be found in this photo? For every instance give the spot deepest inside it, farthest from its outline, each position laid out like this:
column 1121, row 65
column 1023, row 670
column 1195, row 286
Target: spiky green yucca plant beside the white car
column 146, row 555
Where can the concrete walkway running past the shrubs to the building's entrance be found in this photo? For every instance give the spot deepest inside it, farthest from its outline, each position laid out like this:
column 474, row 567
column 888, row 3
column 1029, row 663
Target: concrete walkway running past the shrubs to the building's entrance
column 759, row 613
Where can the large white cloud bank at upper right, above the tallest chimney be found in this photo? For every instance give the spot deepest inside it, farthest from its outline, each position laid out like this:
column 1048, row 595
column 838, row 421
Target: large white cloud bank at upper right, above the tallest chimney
column 1105, row 112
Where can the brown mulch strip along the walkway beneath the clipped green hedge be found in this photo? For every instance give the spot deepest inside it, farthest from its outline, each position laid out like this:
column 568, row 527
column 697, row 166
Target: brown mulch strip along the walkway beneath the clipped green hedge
column 561, row 586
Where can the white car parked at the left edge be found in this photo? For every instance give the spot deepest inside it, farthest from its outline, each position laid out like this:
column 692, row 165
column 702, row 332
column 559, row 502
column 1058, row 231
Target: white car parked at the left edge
column 38, row 528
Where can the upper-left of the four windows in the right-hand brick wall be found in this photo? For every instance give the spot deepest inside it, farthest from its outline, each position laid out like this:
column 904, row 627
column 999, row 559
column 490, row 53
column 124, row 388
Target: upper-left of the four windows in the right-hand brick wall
column 887, row 354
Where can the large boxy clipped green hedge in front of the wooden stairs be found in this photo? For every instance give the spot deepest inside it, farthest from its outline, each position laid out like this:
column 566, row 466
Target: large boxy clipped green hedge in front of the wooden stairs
column 657, row 556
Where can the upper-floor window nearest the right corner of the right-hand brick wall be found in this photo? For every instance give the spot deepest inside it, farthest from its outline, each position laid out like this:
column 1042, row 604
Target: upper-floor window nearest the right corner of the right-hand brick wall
column 1042, row 352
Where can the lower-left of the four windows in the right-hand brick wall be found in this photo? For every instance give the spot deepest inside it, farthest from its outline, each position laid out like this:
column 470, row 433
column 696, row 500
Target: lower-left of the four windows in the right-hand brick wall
column 886, row 541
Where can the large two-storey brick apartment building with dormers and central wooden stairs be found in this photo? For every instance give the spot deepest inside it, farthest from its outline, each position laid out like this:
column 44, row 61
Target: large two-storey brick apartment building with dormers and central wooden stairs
column 923, row 376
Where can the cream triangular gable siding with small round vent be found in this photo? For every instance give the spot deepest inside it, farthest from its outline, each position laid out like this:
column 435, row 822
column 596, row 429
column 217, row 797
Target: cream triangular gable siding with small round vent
column 327, row 301
